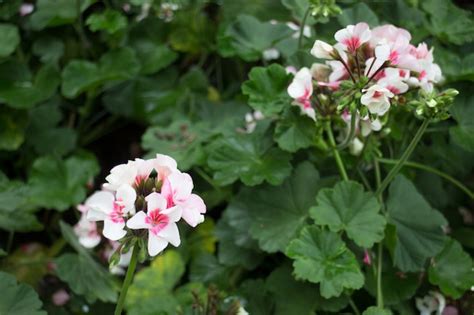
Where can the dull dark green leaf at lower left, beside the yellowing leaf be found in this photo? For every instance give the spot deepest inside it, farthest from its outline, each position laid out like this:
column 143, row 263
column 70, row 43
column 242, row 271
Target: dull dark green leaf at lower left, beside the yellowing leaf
column 85, row 277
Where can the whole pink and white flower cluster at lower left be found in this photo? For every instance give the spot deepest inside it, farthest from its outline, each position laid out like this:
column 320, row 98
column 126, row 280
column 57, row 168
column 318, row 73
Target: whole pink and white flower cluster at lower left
column 142, row 197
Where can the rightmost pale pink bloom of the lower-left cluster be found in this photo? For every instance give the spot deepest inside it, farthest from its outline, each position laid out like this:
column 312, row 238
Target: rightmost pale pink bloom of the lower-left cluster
column 177, row 190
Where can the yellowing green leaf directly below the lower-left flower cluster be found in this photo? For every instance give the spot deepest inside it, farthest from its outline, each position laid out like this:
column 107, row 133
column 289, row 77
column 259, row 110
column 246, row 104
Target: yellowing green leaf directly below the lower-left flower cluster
column 151, row 290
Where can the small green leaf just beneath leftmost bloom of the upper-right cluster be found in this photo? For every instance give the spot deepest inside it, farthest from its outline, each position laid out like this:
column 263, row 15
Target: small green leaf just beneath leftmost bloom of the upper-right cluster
column 295, row 131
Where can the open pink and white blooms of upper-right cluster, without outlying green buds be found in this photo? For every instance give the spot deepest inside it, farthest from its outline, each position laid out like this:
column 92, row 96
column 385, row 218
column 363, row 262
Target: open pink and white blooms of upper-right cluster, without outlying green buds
column 379, row 65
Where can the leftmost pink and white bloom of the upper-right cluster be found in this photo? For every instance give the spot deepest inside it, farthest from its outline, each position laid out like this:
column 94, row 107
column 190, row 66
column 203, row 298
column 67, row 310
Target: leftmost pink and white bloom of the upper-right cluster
column 301, row 90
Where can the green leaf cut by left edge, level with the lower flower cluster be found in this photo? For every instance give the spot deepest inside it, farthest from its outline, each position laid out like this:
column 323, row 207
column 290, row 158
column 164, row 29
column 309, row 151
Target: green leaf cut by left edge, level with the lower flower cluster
column 16, row 213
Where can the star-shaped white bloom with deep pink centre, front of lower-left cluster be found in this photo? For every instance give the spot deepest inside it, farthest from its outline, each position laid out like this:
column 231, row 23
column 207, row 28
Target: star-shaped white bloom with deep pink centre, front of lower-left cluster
column 160, row 221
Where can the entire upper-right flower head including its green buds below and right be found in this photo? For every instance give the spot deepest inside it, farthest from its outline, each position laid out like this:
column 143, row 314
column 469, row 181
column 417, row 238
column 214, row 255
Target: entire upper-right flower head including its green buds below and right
column 367, row 72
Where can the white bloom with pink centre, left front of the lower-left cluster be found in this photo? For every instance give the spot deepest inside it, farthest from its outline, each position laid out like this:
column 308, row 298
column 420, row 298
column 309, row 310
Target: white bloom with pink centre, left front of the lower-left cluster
column 112, row 209
